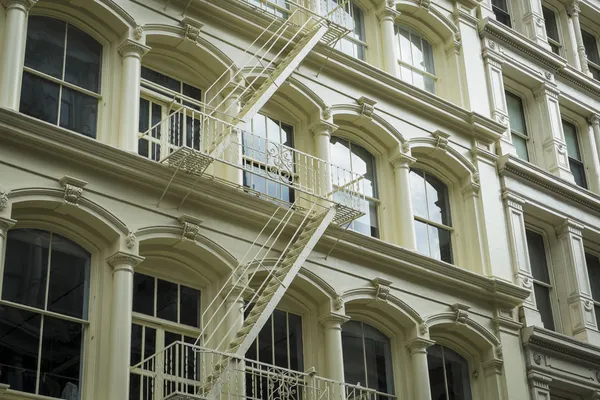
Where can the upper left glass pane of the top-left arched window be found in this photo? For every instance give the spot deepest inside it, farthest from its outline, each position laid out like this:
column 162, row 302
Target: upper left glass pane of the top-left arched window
column 45, row 49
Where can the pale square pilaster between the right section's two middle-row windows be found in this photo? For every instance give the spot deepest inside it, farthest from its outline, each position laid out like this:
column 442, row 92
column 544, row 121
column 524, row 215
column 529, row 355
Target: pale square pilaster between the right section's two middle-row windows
column 553, row 140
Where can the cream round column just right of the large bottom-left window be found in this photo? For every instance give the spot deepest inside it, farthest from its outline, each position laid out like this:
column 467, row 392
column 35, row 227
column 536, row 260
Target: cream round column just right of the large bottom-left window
column 120, row 323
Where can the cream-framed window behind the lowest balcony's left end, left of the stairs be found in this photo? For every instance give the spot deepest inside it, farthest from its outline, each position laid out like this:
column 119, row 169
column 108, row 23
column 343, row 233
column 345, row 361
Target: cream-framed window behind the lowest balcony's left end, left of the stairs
column 156, row 301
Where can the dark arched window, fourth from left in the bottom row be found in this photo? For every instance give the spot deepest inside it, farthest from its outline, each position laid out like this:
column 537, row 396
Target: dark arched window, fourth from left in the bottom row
column 367, row 357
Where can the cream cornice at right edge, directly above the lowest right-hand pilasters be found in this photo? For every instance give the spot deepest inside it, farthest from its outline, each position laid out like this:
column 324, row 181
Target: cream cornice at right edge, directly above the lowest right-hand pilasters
column 510, row 165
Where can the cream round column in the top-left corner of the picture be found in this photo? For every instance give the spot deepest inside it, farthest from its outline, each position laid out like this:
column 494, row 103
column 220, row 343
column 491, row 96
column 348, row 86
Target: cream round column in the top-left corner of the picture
column 13, row 52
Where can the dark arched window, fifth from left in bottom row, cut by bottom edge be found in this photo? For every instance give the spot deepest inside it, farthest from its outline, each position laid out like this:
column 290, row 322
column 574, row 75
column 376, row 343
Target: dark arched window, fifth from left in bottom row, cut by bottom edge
column 448, row 374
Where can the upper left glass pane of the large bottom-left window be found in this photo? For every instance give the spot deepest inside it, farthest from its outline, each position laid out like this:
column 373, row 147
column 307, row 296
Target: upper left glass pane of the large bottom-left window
column 26, row 267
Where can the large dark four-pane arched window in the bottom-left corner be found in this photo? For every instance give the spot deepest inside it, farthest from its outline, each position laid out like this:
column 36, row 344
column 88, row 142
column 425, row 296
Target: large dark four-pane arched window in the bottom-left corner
column 43, row 313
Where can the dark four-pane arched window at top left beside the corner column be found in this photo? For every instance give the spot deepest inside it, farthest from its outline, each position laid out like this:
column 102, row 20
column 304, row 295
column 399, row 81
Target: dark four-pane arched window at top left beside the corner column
column 61, row 75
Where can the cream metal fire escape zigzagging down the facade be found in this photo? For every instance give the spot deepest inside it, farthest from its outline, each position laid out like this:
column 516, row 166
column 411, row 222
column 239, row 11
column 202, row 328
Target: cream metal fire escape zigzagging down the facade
column 214, row 366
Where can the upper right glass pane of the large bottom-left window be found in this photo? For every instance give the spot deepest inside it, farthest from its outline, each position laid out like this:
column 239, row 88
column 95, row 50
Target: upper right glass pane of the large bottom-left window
column 69, row 278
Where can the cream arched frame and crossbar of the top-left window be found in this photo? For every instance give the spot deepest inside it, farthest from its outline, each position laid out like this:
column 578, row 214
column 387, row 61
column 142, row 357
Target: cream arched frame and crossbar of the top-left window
column 104, row 94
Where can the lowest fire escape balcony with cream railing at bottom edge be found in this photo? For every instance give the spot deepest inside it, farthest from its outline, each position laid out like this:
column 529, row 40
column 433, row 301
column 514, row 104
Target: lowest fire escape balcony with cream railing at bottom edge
column 184, row 371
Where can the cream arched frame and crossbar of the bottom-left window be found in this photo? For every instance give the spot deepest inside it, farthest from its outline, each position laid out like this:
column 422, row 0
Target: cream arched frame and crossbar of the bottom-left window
column 89, row 347
